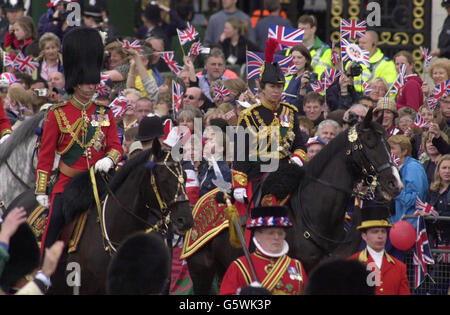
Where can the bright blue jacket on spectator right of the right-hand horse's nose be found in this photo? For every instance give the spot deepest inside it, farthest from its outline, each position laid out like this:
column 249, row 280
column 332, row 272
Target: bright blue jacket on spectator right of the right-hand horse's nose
column 415, row 184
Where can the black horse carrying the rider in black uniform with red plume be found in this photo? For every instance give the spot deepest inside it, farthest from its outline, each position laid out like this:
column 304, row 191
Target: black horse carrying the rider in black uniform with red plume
column 319, row 200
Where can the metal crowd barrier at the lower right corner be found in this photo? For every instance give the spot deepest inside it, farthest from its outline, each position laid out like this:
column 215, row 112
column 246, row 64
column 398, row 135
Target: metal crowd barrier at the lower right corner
column 437, row 282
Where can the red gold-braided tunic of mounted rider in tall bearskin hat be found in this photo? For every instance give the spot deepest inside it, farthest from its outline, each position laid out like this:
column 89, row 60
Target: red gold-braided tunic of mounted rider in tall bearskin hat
column 81, row 135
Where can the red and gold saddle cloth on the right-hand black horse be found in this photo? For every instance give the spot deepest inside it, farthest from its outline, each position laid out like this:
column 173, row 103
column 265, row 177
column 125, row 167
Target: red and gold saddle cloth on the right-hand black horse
column 209, row 220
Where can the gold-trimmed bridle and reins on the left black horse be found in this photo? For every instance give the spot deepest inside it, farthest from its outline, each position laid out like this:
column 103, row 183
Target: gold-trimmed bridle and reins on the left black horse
column 162, row 226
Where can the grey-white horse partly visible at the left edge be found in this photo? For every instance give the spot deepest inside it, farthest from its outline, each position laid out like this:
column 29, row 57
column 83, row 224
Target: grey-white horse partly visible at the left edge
column 18, row 159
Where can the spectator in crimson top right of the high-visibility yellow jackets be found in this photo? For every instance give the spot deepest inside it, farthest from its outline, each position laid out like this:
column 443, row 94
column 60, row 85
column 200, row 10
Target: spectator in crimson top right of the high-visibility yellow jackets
column 410, row 95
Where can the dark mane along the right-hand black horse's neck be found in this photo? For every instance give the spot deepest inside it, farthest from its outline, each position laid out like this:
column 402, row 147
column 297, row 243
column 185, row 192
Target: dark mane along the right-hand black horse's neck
column 315, row 167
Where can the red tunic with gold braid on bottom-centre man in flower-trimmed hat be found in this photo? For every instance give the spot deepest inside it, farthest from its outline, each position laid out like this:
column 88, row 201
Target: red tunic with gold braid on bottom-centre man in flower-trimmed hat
column 281, row 276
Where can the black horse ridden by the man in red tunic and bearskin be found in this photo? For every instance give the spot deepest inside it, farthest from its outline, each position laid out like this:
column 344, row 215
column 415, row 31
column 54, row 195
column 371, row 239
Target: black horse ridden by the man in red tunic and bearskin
column 146, row 194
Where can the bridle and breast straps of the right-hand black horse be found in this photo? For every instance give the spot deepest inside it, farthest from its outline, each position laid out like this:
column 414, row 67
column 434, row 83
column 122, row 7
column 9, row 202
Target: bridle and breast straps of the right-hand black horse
column 370, row 177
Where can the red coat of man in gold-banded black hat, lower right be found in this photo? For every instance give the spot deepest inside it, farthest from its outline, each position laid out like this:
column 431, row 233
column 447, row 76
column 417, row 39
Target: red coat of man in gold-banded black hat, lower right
column 393, row 278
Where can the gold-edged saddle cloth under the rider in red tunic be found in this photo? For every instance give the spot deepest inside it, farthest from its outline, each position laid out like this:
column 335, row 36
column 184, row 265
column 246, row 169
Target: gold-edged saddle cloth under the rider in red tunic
column 37, row 221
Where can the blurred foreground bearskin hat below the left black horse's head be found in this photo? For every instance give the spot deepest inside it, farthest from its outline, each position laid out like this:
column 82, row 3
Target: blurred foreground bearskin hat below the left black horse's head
column 141, row 266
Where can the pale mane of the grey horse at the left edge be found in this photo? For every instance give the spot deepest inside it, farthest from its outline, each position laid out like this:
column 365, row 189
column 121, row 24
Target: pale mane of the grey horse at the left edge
column 19, row 135
